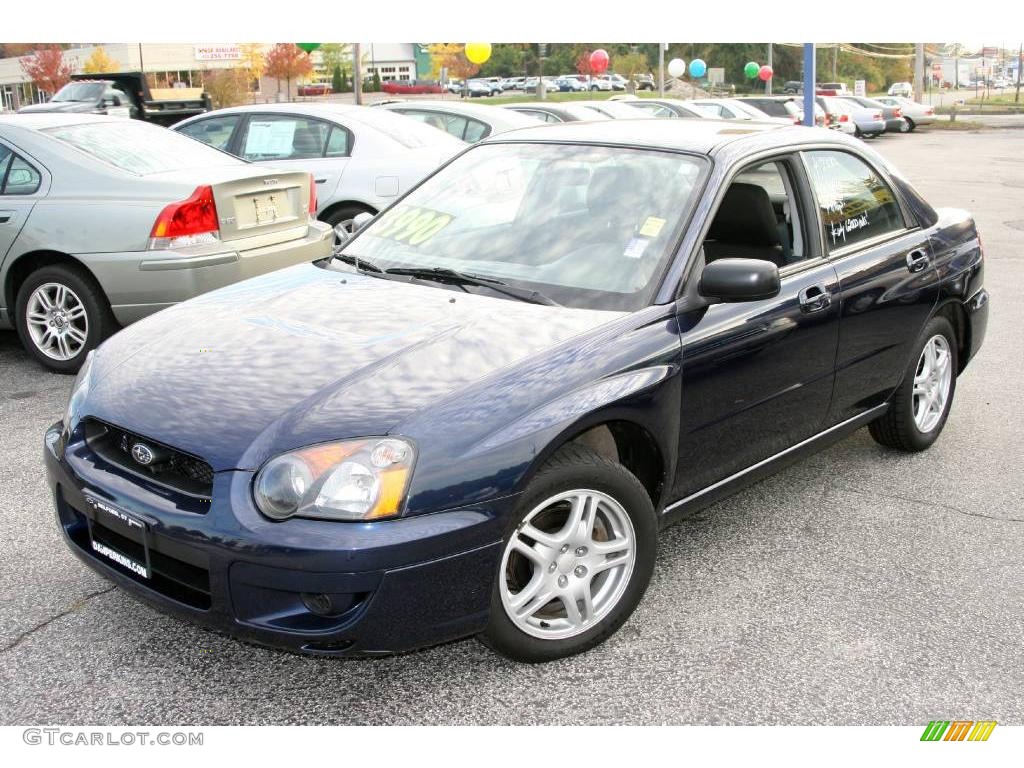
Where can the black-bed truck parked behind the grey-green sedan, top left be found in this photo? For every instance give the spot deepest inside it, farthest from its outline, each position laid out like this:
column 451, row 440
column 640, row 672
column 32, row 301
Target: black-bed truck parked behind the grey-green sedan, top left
column 124, row 94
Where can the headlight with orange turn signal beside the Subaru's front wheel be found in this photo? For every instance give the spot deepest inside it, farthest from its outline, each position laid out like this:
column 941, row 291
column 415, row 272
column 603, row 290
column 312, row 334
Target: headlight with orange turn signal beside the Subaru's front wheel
column 364, row 480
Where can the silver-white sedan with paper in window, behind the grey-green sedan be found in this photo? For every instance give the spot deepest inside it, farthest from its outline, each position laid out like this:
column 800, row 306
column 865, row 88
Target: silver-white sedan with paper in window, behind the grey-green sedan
column 362, row 159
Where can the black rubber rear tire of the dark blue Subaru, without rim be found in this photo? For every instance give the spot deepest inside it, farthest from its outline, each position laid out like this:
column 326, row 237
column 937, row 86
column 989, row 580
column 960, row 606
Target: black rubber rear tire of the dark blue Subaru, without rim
column 898, row 429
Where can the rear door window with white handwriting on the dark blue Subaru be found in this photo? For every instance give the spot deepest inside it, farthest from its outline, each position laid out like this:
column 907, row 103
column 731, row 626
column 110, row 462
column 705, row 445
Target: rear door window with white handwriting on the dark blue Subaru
column 857, row 204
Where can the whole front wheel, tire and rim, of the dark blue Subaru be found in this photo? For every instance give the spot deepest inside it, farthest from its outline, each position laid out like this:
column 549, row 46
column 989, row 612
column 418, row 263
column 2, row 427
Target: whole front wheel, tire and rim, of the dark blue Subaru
column 577, row 561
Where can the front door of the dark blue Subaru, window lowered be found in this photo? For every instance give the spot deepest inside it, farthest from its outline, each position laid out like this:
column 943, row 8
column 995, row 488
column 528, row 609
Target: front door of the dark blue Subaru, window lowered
column 757, row 377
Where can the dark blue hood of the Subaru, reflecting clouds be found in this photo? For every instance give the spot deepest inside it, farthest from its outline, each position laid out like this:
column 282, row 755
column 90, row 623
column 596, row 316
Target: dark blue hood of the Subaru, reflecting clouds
column 310, row 355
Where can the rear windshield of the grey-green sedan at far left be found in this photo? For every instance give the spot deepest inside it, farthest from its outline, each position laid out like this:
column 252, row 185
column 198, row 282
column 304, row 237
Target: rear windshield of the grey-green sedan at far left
column 139, row 148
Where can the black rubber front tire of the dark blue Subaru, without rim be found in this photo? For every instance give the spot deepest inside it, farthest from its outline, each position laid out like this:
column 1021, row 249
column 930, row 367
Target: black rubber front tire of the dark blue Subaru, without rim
column 577, row 467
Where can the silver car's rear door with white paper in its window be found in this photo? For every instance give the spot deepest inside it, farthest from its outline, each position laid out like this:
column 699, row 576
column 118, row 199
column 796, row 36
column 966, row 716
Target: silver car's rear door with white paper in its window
column 298, row 143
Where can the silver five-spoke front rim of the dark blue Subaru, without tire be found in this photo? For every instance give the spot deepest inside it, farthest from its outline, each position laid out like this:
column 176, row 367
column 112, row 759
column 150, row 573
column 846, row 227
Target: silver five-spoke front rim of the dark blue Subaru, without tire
column 568, row 565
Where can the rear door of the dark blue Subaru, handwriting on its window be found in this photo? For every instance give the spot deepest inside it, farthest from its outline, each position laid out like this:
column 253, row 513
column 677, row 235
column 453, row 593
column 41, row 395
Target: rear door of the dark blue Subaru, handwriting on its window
column 888, row 282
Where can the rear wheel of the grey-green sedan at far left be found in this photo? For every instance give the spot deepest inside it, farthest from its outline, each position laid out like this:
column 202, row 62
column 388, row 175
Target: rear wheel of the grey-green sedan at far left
column 63, row 315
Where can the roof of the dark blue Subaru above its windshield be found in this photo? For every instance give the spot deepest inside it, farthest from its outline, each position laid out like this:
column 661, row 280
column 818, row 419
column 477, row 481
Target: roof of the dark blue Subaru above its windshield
column 700, row 137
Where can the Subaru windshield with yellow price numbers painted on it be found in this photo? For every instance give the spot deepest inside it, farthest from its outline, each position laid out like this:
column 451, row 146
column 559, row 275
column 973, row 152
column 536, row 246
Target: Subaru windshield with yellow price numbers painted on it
column 588, row 227
